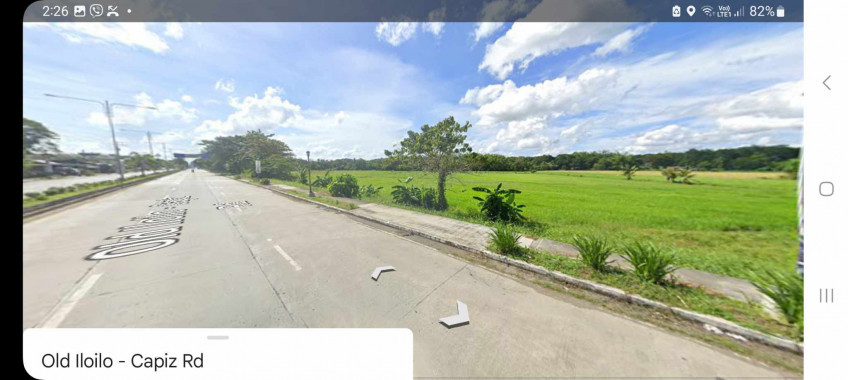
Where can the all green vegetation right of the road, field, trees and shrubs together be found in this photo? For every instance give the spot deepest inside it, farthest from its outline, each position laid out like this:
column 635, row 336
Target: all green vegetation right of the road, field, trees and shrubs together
column 735, row 224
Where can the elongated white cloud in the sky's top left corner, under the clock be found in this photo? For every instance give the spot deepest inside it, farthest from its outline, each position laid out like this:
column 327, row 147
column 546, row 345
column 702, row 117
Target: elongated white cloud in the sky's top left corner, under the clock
column 131, row 34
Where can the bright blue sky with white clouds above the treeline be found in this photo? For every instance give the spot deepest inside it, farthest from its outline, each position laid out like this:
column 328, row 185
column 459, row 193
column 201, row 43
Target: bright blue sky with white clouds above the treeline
column 353, row 89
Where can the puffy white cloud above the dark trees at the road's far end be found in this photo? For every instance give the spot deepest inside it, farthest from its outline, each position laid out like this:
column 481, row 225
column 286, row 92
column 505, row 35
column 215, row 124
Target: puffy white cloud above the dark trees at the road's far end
column 267, row 112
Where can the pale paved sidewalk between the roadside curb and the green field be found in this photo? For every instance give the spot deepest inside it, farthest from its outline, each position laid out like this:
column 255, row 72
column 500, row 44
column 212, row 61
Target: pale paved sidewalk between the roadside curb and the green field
column 477, row 236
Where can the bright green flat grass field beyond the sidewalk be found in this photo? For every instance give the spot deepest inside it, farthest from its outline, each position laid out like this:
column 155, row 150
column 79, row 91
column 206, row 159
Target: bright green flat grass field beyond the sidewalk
column 728, row 223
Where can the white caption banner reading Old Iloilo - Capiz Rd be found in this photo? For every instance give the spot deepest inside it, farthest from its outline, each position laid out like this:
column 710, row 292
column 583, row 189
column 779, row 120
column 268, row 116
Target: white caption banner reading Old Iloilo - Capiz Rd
column 136, row 353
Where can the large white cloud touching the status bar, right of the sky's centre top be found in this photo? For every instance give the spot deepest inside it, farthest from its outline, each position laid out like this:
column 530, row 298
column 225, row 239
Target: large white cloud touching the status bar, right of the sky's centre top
column 524, row 42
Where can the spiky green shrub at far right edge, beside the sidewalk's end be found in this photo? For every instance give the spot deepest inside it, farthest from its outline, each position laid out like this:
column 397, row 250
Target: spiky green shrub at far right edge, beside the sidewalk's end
column 787, row 292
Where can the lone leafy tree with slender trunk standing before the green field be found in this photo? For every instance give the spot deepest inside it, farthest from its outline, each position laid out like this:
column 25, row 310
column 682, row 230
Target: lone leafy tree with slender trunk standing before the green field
column 438, row 149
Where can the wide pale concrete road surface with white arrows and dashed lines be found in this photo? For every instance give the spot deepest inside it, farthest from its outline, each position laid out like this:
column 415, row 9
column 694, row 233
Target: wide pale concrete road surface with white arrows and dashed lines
column 283, row 263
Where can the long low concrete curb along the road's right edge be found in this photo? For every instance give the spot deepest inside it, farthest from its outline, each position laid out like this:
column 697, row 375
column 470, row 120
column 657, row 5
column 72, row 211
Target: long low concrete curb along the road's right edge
column 770, row 340
